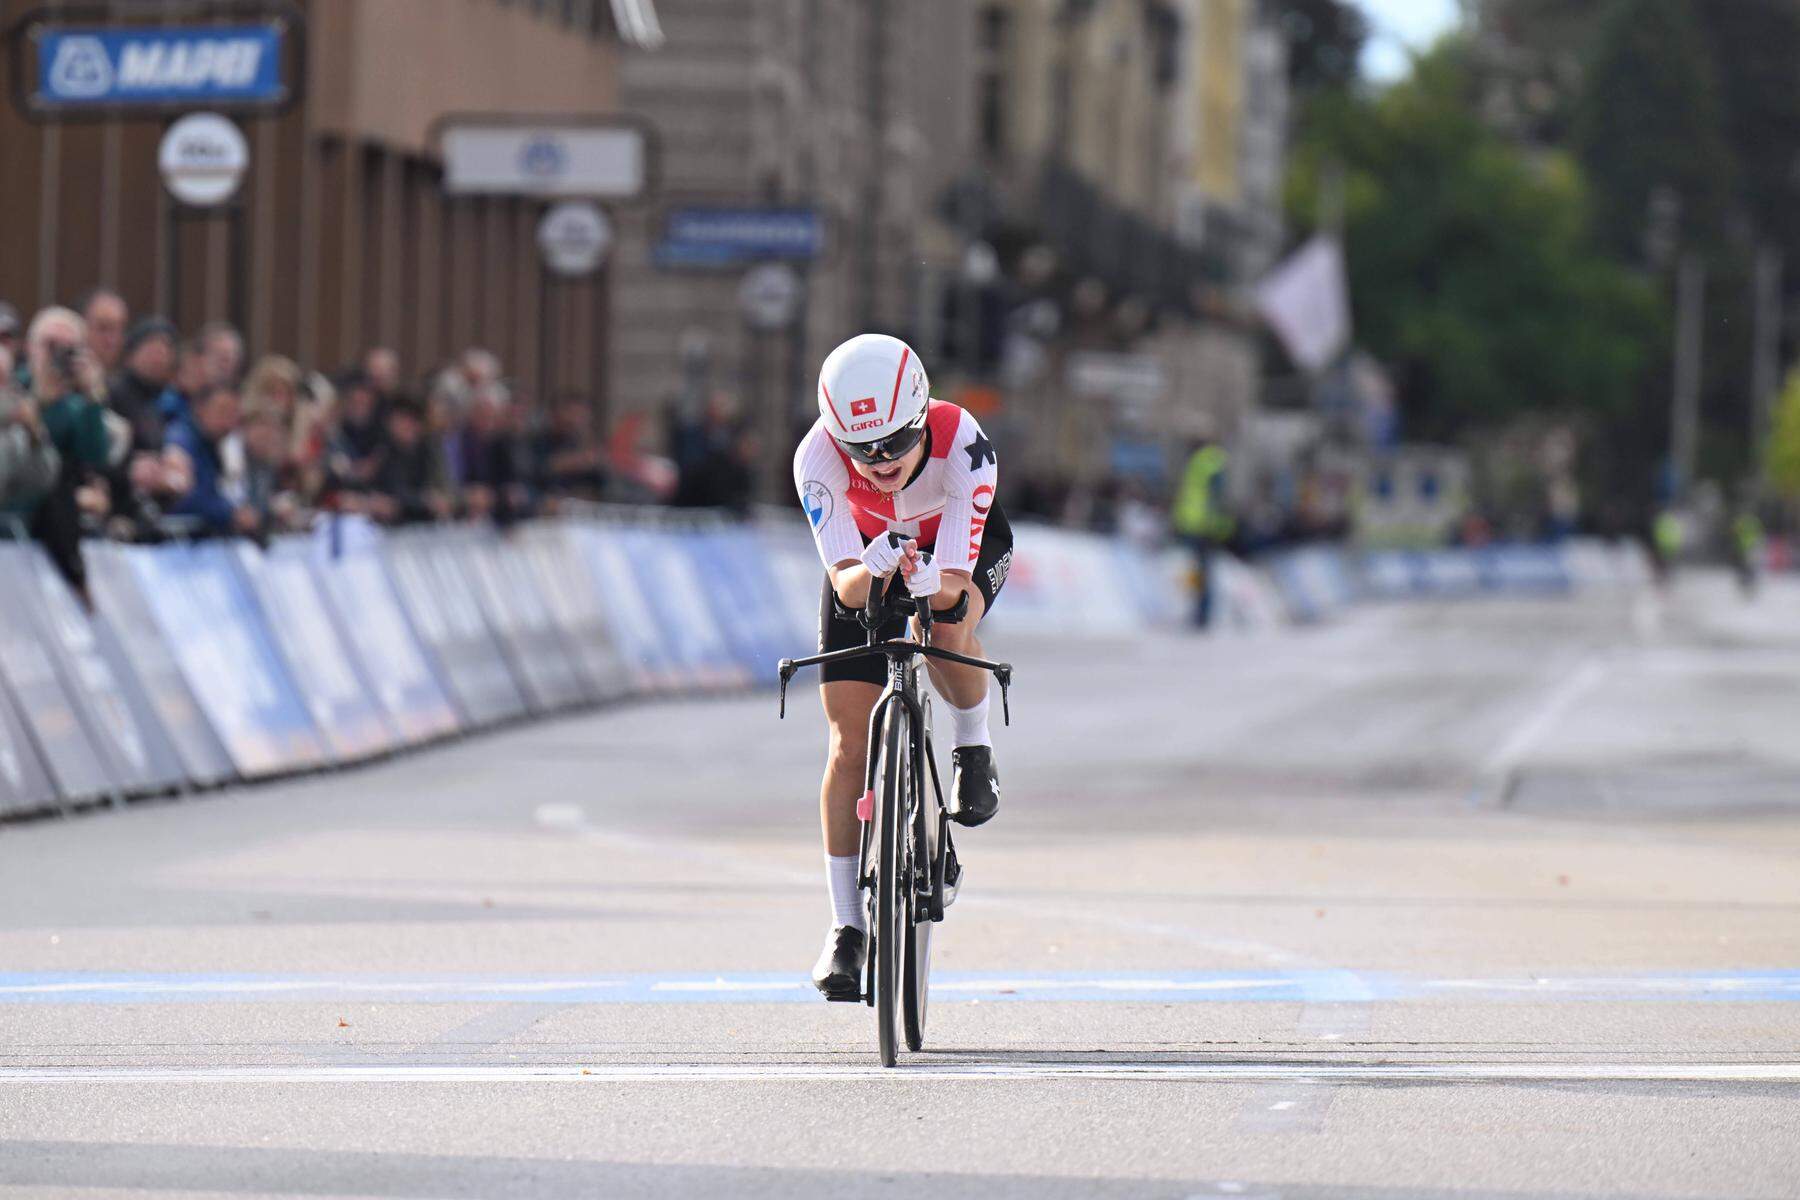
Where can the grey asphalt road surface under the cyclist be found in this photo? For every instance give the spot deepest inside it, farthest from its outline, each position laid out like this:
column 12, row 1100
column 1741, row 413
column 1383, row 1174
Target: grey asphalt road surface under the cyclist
column 1479, row 900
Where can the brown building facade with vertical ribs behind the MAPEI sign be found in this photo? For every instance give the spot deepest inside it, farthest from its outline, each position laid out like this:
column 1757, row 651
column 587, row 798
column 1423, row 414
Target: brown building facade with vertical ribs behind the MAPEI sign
column 341, row 237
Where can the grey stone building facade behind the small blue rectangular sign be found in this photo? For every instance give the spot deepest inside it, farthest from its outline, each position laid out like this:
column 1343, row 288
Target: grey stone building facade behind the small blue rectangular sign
column 858, row 112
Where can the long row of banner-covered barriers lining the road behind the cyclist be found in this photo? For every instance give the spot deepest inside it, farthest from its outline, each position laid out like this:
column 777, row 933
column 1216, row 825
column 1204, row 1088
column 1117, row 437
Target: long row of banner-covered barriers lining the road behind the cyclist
column 215, row 663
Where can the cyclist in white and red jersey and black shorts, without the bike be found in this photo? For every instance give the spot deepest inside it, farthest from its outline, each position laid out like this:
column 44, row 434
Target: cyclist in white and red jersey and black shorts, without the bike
column 895, row 481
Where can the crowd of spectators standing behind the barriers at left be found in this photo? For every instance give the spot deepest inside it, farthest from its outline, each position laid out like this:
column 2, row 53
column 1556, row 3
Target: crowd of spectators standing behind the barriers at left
column 138, row 431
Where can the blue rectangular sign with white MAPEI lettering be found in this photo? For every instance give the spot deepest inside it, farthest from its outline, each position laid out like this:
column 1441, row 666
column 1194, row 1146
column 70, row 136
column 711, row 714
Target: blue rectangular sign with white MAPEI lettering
column 202, row 66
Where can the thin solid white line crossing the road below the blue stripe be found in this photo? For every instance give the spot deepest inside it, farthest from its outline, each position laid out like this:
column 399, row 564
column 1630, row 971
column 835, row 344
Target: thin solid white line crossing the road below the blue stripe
column 1012, row 1071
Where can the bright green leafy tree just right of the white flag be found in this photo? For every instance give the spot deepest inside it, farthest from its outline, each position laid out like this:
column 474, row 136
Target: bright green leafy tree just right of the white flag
column 1471, row 271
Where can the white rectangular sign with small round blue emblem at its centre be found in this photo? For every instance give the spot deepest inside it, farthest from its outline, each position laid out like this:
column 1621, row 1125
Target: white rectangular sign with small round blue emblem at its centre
column 553, row 159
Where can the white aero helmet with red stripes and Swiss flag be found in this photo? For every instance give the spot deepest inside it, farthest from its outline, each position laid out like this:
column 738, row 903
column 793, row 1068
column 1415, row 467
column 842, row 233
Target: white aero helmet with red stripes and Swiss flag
column 872, row 397
